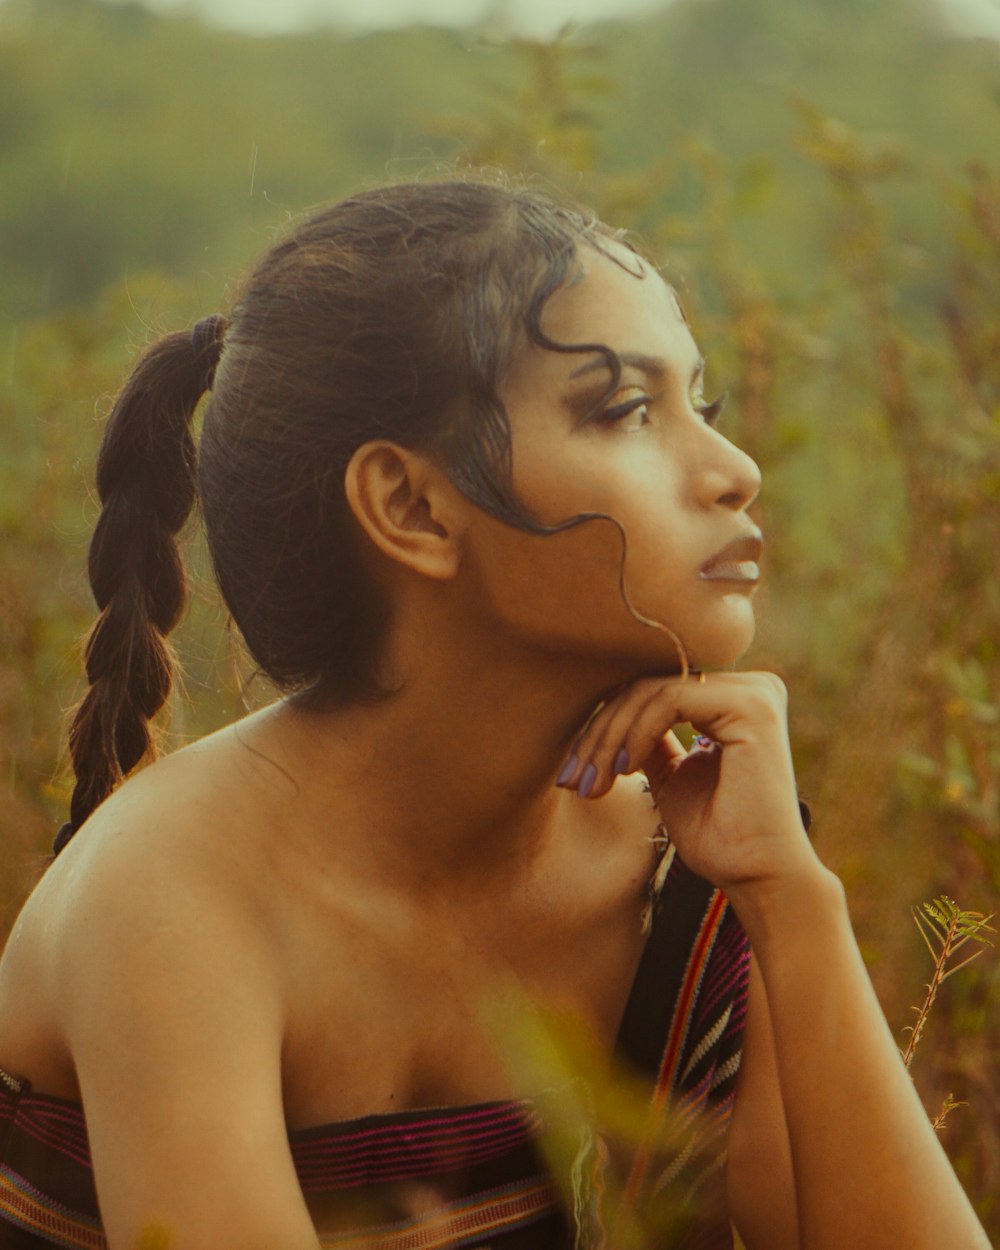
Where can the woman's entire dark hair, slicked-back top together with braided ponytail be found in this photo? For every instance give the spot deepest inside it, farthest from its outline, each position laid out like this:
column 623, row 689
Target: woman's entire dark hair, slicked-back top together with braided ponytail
column 392, row 314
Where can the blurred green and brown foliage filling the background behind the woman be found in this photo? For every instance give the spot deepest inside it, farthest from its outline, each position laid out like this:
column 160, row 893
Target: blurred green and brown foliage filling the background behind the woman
column 822, row 184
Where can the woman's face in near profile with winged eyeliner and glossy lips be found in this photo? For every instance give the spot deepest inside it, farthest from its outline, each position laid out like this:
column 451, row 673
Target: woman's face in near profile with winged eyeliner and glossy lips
column 651, row 458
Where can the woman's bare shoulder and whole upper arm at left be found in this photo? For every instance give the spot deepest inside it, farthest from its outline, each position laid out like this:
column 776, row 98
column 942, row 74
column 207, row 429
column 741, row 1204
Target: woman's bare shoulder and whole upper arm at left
column 147, row 986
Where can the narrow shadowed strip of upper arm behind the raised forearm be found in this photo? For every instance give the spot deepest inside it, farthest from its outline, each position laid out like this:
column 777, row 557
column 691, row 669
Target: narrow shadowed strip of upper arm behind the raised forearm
column 759, row 1174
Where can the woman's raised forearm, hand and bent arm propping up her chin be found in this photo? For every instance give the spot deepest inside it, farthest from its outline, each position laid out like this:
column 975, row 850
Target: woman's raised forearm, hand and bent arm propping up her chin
column 856, row 1124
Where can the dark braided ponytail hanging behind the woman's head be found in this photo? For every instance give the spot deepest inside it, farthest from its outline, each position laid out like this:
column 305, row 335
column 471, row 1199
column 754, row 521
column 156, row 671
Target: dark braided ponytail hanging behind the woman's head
column 147, row 488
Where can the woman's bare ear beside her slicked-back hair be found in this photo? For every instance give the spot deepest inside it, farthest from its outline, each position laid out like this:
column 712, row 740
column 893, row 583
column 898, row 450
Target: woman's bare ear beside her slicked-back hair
column 407, row 507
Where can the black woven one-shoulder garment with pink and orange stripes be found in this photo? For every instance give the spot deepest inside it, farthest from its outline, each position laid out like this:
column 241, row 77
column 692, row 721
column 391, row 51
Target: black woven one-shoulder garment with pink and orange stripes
column 682, row 1032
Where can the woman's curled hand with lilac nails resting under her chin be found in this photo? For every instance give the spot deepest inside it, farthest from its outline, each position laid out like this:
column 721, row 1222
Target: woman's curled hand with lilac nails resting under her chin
column 729, row 804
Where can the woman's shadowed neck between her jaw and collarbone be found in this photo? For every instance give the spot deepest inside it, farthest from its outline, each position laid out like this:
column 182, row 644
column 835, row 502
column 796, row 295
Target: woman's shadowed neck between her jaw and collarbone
column 454, row 776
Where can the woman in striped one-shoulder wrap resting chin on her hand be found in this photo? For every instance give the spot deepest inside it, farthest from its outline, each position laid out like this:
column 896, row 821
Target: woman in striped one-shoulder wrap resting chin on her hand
column 462, row 488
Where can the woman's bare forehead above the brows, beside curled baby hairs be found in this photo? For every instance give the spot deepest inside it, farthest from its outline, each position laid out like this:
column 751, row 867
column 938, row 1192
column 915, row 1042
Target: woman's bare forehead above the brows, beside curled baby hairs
column 623, row 304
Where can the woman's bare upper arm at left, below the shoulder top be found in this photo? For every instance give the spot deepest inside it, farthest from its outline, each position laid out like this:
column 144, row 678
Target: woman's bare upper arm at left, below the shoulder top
column 173, row 1018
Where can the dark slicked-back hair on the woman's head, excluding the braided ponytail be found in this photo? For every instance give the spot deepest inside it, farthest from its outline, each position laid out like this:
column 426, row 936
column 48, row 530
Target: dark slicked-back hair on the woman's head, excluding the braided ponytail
column 393, row 314
